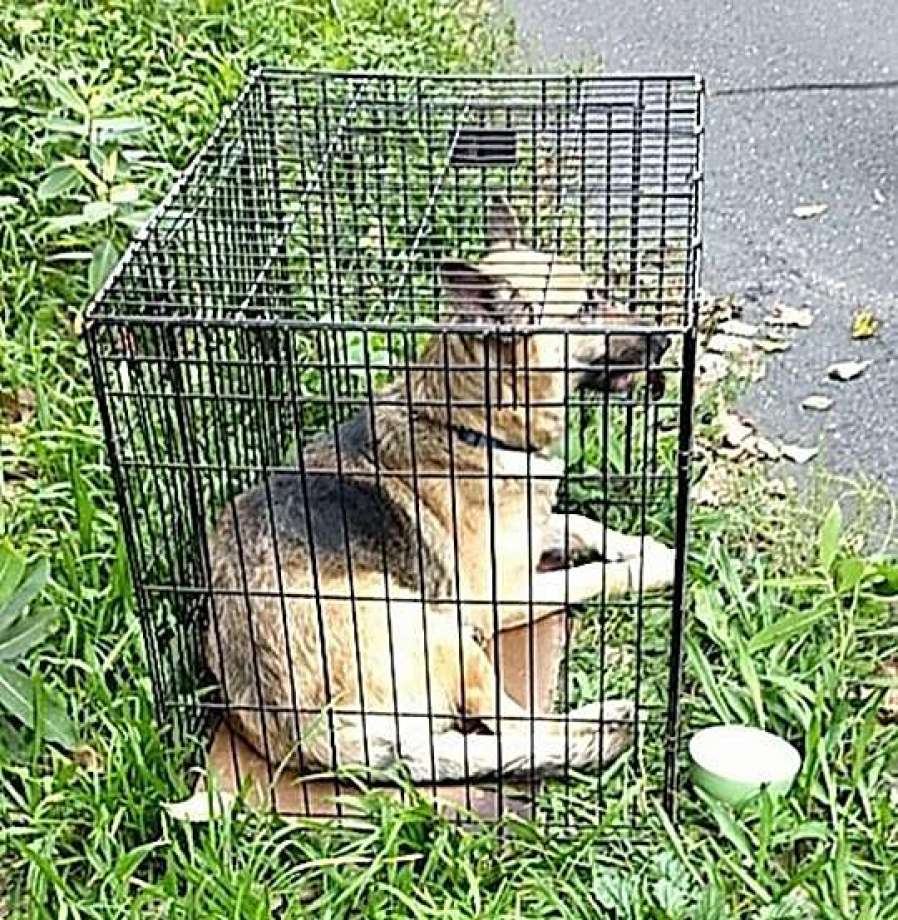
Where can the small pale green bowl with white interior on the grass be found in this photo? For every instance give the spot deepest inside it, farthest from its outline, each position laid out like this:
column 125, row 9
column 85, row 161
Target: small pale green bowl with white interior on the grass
column 734, row 763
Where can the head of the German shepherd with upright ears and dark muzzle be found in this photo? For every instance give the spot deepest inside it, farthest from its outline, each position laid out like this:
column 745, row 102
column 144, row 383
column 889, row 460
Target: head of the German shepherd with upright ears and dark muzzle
column 524, row 289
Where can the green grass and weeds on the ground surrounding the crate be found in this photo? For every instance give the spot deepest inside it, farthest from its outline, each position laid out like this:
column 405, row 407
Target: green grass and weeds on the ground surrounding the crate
column 789, row 630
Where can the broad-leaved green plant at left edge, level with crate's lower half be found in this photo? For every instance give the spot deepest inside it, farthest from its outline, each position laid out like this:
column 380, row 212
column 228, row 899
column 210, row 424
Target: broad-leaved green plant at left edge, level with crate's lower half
column 22, row 696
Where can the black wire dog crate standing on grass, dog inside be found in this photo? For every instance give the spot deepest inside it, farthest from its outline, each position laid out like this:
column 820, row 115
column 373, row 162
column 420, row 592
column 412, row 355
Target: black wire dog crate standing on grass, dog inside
column 396, row 385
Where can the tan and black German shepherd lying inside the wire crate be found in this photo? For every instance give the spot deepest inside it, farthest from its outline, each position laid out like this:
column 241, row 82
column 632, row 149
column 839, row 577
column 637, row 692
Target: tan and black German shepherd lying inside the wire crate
column 355, row 597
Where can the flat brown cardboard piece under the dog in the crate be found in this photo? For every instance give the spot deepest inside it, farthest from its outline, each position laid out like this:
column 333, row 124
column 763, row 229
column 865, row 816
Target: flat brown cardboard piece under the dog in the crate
column 232, row 764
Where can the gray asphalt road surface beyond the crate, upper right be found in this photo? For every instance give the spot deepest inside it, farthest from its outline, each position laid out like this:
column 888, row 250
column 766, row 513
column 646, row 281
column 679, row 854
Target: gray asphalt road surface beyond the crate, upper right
column 768, row 150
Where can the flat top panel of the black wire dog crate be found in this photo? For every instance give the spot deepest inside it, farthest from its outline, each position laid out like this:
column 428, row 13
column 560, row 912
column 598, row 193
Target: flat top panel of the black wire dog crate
column 334, row 198
